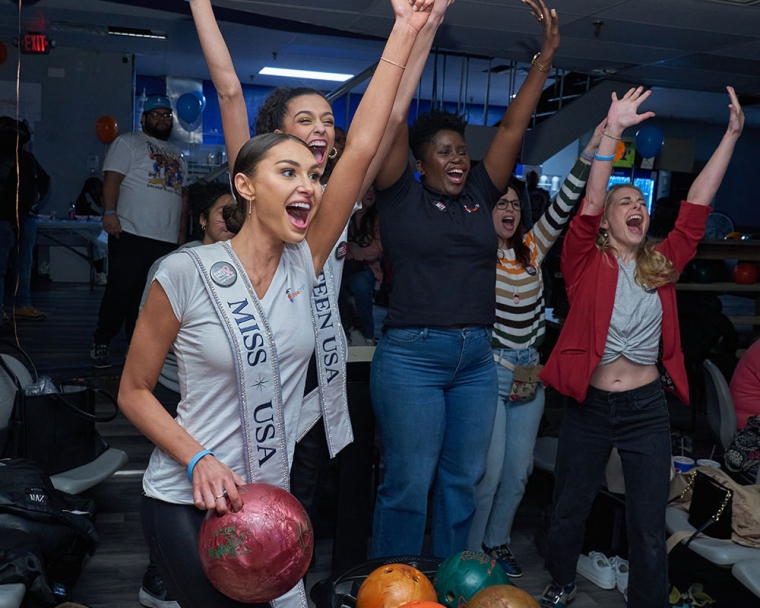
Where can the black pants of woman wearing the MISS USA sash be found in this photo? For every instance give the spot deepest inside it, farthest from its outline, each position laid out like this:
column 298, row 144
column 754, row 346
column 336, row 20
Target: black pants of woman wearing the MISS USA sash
column 172, row 535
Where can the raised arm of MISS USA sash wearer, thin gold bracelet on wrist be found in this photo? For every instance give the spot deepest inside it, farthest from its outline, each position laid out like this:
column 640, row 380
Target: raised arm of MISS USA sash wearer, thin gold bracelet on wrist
column 367, row 128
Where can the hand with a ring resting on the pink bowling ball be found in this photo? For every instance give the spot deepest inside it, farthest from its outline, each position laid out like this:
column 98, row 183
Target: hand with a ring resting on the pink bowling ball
column 214, row 484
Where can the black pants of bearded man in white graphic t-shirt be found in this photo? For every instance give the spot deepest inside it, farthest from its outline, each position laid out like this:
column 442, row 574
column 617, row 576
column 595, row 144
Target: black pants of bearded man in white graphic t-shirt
column 129, row 259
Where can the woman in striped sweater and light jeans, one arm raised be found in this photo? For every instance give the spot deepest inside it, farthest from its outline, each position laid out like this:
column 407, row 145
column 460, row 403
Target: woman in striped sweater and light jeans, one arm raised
column 518, row 332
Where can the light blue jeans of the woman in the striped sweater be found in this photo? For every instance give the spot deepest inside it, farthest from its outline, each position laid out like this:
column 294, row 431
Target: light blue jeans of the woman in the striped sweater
column 510, row 456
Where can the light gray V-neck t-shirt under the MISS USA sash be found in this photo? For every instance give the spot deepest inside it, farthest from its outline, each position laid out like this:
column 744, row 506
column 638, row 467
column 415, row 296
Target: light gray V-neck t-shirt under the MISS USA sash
column 208, row 409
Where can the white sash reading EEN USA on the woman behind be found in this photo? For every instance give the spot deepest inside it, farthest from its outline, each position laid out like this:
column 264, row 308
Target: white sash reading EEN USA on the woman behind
column 330, row 397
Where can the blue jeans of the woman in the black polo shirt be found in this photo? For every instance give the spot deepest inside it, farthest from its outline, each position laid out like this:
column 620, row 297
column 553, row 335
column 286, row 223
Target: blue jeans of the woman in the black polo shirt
column 434, row 394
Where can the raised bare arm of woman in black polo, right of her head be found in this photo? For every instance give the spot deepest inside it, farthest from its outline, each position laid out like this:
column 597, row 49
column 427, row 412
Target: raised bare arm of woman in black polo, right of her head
column 502, row 153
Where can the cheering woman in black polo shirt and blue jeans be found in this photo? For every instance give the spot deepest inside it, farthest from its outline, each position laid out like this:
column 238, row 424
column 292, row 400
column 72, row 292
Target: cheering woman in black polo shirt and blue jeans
column 434, row 387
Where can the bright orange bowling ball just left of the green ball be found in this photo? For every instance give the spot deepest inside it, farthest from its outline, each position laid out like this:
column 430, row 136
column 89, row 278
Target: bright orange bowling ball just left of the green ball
column 393, row 585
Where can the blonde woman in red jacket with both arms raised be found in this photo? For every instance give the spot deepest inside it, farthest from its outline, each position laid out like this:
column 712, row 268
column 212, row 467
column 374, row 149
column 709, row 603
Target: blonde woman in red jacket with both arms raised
column 622, row 313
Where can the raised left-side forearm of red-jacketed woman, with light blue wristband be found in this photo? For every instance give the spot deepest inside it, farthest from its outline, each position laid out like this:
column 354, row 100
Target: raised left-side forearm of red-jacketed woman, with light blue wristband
column 621, row 115
